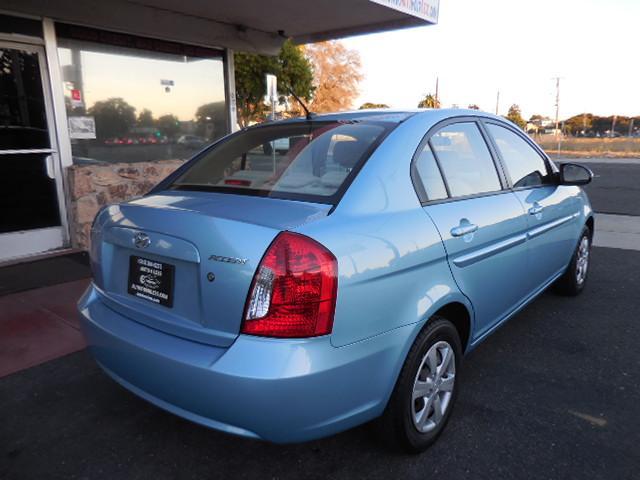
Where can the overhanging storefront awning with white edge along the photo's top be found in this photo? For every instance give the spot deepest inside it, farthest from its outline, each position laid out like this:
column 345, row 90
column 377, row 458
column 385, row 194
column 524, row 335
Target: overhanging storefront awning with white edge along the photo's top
column 247, row 25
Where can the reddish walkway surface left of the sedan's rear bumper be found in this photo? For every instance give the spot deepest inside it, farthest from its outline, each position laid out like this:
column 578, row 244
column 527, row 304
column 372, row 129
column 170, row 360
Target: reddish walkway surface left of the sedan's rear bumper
column 39, row 325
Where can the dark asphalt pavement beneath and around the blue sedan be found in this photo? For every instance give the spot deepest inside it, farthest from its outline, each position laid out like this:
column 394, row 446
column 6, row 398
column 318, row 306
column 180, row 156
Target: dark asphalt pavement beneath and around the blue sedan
column 552, row 395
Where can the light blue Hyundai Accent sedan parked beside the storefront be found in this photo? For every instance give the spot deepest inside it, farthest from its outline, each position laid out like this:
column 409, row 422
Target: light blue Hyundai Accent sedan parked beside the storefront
column 294, row 292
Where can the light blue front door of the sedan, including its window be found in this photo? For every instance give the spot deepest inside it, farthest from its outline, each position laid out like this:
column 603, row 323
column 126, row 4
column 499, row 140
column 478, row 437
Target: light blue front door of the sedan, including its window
column 552, row 210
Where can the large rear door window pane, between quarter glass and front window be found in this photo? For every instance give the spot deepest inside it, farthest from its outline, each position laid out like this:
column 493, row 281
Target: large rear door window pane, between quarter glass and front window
column 465, row 160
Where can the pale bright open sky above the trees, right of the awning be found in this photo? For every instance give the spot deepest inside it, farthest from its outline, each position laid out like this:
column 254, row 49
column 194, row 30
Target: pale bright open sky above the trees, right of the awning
column 480, row 47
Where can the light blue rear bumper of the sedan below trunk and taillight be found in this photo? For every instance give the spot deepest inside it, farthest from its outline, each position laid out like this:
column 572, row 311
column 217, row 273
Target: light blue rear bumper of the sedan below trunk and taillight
column 273, row 389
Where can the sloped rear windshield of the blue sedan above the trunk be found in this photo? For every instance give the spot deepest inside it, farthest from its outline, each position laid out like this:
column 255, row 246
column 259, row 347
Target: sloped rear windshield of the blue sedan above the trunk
column 312, row 161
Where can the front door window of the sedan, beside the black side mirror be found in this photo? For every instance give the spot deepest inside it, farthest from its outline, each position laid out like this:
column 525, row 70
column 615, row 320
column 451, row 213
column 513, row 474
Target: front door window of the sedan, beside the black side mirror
column 526, row 167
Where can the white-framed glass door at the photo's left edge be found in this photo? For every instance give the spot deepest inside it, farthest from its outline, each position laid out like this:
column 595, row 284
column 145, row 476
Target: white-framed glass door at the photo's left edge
column 31, row 194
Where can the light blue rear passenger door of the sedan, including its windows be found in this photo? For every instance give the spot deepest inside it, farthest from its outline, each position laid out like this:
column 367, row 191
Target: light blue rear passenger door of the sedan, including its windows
column 482, row 224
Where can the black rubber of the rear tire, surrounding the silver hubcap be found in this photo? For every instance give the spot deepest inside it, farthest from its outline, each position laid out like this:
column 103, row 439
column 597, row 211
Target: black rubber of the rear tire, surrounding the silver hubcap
column 396, row 426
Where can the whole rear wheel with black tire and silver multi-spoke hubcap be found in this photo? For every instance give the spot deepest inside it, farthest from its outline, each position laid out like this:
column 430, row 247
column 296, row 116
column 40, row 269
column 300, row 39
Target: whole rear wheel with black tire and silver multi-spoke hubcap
column 399, row 426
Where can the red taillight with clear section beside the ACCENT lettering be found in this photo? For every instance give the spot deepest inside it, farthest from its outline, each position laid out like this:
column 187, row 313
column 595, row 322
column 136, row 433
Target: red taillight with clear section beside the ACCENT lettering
column 294, row 290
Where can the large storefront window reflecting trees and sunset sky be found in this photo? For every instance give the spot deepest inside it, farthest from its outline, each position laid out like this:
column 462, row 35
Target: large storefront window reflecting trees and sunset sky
column 130, row 99
